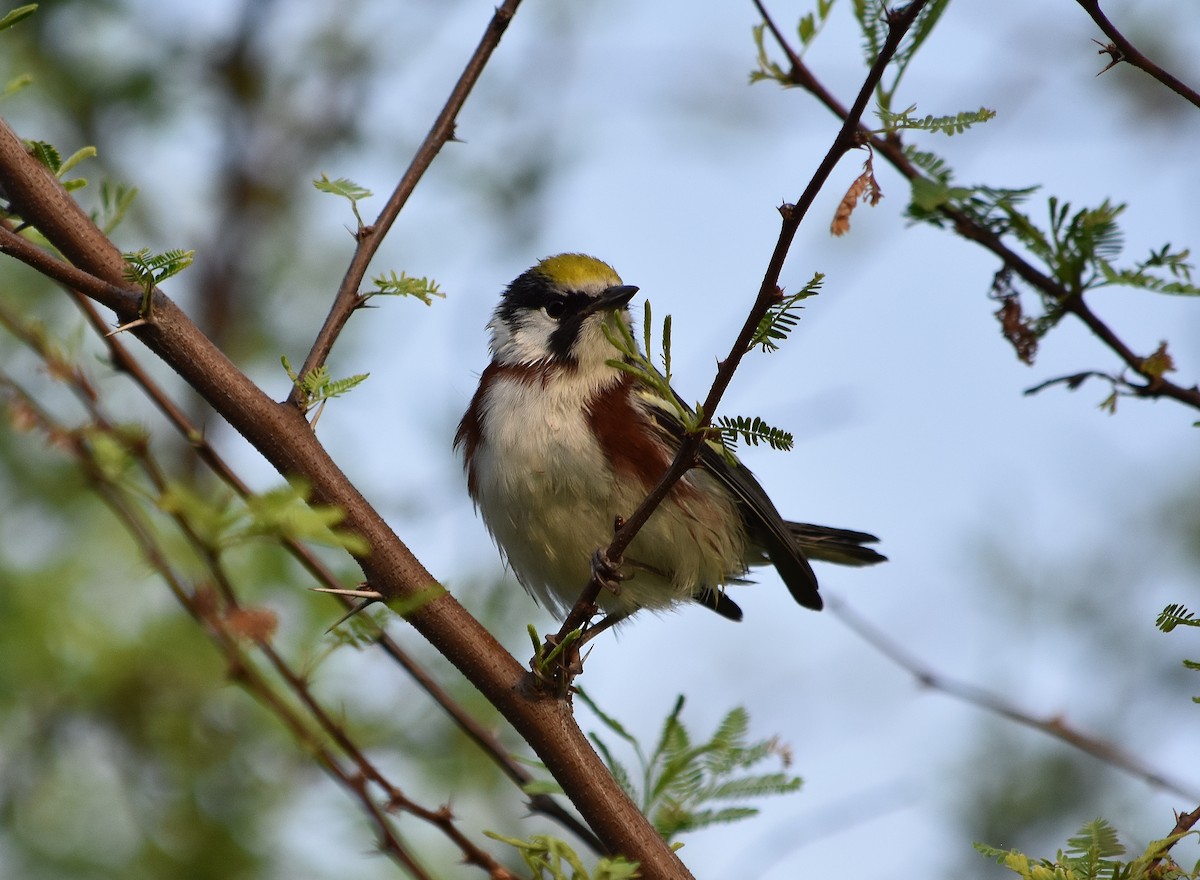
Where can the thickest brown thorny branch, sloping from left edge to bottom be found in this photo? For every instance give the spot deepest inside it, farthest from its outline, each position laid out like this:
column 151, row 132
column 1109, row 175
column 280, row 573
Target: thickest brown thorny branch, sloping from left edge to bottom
column 284, row 438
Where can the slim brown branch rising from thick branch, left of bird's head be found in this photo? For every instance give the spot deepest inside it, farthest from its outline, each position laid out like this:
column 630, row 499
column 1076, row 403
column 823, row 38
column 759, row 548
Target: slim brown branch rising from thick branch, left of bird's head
column 349, row 298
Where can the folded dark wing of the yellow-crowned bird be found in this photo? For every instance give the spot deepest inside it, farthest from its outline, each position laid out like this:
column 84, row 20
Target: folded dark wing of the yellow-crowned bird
column 764, row 522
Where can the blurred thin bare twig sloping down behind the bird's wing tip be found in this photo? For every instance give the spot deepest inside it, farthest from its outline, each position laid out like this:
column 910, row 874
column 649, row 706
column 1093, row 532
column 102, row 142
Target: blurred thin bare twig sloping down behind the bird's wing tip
column 1109, row 753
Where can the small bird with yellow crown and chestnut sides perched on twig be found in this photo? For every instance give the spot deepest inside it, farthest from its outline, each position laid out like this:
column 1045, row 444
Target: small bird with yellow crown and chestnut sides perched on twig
column 559, row 444
